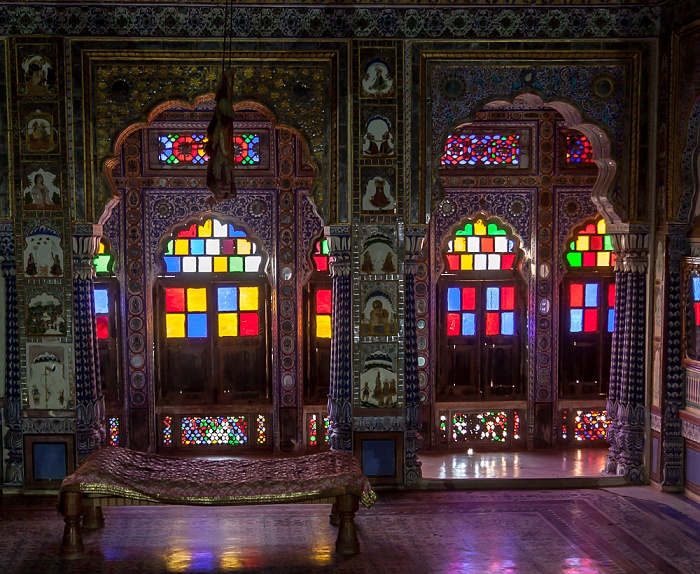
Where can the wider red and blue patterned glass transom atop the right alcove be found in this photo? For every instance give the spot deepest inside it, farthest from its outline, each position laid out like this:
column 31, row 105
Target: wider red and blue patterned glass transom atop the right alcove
column 481, row 149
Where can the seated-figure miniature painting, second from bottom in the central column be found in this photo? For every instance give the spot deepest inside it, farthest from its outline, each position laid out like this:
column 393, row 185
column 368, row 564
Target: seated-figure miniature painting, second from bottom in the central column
column 378, row 313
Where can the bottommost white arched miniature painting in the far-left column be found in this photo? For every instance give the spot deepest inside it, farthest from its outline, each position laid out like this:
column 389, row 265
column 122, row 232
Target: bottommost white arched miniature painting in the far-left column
column 48, row 381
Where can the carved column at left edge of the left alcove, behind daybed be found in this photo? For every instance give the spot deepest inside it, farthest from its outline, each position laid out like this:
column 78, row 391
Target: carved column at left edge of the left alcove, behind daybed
column 90, row 421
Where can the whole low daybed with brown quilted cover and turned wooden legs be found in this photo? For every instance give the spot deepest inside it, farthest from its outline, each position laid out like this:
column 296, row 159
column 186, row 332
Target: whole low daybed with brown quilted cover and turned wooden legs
column 115, row 476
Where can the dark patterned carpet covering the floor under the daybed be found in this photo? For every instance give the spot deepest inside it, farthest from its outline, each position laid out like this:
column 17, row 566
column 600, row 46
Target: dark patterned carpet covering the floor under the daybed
column 556, row 531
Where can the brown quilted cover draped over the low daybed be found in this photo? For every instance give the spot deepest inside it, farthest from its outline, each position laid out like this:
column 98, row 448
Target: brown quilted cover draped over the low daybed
column 116, row 471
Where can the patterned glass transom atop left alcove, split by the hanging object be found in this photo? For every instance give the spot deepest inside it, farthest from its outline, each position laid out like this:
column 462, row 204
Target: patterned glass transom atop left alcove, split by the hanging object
column 188, row 148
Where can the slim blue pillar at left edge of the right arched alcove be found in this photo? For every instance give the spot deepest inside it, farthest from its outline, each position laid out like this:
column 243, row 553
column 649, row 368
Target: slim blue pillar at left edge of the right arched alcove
column 414, row 236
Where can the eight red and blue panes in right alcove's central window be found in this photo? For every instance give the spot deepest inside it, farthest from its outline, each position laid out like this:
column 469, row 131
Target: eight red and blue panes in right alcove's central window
column 462, row 314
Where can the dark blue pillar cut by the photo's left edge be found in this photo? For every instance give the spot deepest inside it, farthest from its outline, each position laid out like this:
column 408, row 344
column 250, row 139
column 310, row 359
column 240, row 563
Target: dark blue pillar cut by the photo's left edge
column 14, row 464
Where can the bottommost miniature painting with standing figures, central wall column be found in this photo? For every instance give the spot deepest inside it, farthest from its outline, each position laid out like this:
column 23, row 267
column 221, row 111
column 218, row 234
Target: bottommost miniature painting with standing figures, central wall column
column 378, row 378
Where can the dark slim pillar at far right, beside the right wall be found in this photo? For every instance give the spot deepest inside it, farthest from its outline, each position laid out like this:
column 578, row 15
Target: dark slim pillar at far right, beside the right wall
column 673, row 386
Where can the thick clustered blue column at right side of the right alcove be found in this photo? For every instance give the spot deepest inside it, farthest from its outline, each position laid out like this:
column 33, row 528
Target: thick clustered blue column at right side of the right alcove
column 626, row 397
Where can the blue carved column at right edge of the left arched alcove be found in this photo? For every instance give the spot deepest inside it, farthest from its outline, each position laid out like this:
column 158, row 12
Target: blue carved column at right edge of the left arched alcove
column 340, row 396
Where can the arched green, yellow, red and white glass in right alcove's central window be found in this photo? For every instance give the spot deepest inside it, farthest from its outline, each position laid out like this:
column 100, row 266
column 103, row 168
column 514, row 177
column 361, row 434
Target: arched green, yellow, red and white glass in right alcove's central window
column 480, row 247
